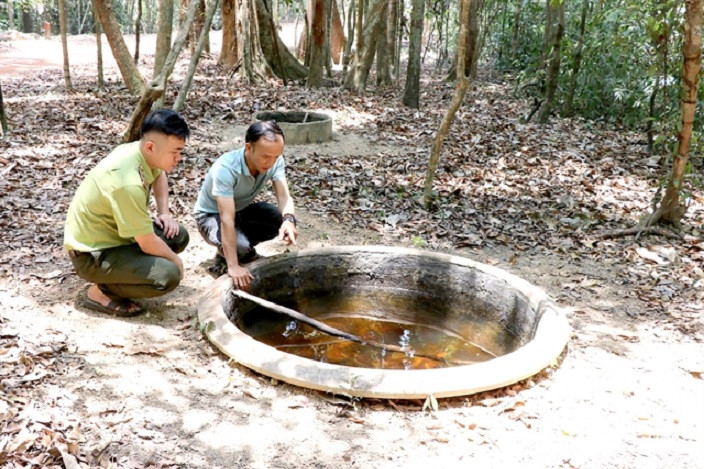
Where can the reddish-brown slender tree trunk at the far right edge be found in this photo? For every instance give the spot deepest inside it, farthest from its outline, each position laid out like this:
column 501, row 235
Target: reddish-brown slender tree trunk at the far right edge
column 672, row 207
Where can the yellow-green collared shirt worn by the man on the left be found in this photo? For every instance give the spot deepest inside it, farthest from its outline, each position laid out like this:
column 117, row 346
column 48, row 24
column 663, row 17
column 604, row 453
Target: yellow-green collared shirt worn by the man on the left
column 111, row 206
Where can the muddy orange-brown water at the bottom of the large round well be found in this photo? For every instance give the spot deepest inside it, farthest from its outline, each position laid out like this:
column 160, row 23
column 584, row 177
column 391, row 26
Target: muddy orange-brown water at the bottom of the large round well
column 371, row 316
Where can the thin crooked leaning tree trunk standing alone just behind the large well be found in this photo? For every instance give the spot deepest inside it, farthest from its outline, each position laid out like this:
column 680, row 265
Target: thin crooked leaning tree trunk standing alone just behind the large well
column 460, row 91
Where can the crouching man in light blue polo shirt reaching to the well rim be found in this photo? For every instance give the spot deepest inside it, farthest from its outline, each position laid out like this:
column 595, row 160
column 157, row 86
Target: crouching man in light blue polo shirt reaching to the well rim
column 226, row 216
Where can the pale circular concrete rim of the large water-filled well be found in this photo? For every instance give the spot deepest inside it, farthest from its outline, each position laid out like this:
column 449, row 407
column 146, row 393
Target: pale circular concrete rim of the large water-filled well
column 549, row 340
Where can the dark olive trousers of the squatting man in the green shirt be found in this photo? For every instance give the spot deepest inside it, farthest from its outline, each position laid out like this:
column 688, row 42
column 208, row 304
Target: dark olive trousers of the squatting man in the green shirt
column 127, row 272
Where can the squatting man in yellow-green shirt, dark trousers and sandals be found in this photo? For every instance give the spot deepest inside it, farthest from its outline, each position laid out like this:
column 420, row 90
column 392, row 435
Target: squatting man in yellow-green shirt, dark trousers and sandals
column 109, row 234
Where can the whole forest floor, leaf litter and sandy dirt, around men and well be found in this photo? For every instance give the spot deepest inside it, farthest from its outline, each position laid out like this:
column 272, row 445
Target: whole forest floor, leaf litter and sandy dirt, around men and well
column 80, row 389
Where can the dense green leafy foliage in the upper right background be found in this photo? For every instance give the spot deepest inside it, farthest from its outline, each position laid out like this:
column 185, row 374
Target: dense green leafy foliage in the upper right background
column 630, row 47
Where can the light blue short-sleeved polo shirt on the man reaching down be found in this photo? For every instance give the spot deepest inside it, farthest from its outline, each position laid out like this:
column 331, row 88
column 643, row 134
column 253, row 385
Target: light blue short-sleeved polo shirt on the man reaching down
column 230, row 177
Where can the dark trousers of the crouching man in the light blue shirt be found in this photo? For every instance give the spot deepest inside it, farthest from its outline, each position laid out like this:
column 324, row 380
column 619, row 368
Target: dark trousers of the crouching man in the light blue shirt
column 258, row 222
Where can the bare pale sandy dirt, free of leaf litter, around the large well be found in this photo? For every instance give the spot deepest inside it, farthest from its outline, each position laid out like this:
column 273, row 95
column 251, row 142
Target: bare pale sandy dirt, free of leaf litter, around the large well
column 152, row 392
